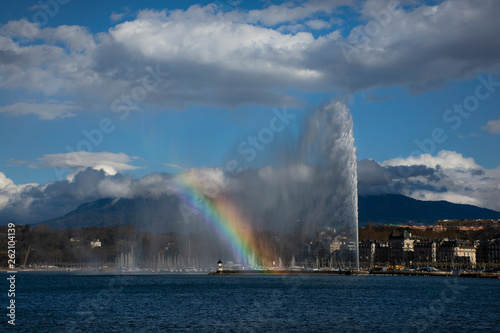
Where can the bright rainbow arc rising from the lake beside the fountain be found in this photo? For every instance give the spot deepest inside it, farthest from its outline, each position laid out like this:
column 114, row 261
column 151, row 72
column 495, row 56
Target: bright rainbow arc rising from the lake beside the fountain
column 223, row 217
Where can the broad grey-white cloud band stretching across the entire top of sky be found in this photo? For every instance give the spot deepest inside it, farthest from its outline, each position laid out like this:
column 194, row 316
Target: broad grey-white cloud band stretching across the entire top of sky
column 222, row 58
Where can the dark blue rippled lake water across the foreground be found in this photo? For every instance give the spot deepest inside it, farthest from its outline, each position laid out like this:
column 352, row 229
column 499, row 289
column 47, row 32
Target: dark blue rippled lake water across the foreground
column 261, row 303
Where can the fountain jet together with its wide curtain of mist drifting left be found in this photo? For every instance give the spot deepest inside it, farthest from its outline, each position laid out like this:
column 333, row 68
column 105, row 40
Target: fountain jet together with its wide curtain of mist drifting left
column 296, row 211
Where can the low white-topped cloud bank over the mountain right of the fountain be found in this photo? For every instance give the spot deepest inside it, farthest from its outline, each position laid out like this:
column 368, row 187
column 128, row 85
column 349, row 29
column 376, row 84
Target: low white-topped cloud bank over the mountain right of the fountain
column 448, row 176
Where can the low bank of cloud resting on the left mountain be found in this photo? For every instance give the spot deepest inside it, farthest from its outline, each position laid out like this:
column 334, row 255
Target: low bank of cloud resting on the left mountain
column 33, row 203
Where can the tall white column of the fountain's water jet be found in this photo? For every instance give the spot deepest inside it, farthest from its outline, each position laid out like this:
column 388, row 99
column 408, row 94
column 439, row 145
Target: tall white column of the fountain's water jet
column 328, row 145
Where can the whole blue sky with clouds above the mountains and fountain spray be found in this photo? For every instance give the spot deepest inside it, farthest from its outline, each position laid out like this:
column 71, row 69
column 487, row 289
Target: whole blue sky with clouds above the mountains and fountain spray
column 135, row 89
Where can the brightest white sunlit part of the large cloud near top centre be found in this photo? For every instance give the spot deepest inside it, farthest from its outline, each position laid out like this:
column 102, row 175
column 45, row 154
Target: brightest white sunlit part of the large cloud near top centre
column 204, row 37
